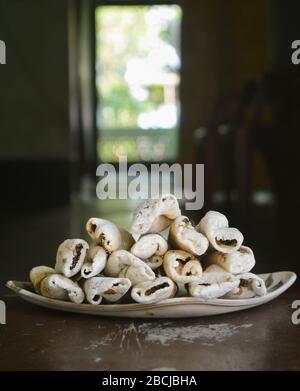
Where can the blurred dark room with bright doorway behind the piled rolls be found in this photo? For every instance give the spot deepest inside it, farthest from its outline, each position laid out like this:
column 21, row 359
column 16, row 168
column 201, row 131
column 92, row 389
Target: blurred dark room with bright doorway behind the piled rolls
column 194, row 81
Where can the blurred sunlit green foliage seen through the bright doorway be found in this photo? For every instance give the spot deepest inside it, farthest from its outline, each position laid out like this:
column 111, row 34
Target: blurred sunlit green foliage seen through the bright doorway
column 122, row 35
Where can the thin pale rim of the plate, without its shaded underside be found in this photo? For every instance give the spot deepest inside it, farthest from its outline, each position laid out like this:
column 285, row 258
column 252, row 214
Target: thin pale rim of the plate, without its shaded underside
column 175, row 301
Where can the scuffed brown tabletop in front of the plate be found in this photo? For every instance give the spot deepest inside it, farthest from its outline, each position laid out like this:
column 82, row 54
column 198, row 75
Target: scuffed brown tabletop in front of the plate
column 262, row 338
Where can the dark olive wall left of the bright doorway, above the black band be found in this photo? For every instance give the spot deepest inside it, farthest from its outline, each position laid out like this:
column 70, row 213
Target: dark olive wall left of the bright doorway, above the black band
column 34, row 82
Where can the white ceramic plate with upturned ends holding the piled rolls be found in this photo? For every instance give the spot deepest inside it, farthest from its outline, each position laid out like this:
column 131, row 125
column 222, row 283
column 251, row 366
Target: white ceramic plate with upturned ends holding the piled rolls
column 178, row 307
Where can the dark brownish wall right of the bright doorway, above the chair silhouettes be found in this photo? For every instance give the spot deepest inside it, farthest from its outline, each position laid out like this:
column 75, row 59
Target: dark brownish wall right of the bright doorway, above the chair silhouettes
column 224, row 43
